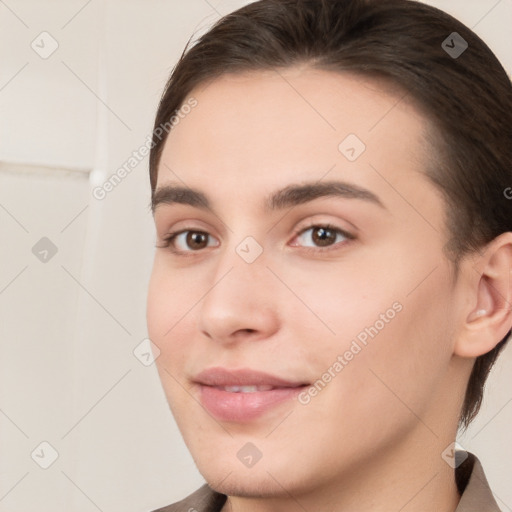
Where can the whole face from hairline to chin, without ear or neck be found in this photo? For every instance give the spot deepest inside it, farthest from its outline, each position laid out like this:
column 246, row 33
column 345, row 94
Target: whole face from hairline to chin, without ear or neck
column 343, row 300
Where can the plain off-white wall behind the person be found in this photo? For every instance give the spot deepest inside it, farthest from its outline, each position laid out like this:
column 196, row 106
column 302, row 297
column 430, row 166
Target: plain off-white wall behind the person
column 70, row 321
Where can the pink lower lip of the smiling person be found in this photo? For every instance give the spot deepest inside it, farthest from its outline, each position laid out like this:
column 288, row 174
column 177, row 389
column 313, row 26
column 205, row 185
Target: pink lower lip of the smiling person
column 241, row 407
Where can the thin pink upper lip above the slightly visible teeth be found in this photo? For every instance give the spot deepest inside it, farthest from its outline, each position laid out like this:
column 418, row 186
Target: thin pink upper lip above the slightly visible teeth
column 218, row 376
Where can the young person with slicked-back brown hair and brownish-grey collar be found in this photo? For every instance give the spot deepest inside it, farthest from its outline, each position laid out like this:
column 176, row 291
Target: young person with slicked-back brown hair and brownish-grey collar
column 332, row 278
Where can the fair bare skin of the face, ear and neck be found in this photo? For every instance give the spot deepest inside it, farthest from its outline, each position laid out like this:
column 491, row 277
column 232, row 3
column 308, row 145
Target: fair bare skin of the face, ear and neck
column 372, row 439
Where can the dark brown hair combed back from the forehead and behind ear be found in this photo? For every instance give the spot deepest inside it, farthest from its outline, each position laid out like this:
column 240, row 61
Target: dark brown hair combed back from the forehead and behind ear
column 467, row 99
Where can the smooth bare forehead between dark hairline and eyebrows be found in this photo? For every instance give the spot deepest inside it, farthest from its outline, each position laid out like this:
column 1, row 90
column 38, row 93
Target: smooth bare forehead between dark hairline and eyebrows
column 258, row 131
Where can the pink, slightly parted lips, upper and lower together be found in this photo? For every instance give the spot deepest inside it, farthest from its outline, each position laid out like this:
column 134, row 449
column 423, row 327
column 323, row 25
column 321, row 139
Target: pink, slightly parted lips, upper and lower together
column 243, row 395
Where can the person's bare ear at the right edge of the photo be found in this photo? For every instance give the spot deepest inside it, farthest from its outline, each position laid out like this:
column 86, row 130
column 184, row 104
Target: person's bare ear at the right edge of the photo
column 489, row 312
